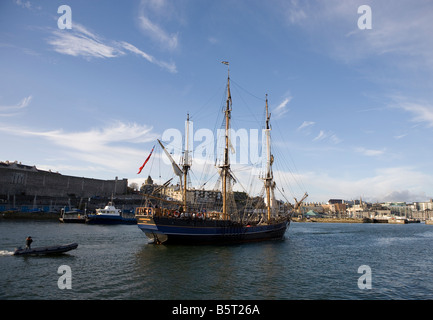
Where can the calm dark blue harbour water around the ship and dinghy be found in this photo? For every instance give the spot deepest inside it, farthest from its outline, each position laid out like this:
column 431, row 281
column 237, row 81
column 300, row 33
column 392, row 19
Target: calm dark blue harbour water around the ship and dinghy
column 315, row 261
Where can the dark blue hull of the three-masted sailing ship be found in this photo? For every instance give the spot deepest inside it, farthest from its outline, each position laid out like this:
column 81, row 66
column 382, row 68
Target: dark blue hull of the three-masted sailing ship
column 171, row 230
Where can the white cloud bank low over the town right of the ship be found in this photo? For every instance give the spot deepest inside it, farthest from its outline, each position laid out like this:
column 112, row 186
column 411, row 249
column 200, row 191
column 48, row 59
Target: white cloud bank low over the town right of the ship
column 400, row 183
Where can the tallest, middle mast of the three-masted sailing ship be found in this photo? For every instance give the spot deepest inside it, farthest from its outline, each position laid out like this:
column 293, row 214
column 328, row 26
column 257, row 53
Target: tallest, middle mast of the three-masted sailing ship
column 226, row 166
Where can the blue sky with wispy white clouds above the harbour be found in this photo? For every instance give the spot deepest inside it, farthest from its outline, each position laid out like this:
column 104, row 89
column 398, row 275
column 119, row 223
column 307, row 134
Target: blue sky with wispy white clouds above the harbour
column 352, row 109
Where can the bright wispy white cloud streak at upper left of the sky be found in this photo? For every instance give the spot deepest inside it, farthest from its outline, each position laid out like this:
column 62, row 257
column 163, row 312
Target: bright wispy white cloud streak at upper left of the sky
column 80, row 42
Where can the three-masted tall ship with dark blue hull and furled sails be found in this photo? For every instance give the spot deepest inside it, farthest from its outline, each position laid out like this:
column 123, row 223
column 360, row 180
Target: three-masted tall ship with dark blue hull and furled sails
column 182, row 222
